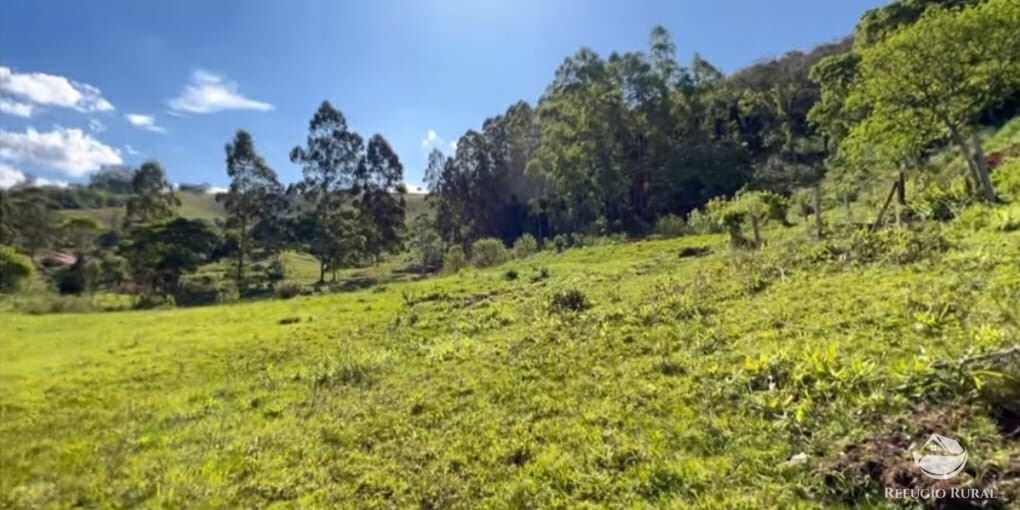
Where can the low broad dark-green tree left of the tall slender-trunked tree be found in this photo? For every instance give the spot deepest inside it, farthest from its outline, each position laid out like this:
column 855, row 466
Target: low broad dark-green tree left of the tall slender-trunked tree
column 161, row 253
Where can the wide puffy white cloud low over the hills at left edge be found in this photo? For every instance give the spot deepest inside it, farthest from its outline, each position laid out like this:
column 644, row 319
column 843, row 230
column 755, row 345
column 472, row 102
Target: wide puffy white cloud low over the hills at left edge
column 71, row 151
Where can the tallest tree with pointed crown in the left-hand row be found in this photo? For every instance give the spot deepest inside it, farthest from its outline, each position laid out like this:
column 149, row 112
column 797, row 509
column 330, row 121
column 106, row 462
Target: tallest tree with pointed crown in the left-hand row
column 329, row 162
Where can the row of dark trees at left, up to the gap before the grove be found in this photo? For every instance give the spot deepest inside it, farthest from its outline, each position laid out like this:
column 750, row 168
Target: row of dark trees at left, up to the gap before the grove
column 349, row 208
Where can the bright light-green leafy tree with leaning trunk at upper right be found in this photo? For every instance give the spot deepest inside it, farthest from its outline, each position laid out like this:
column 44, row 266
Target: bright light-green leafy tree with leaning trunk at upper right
column 933, row 80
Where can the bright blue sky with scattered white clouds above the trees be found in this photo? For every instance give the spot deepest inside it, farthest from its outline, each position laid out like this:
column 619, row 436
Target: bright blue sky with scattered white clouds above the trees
column 84, row 84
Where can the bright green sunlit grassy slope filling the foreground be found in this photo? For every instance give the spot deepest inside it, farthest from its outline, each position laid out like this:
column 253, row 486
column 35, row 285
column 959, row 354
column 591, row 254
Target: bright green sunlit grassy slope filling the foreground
column 613, row 376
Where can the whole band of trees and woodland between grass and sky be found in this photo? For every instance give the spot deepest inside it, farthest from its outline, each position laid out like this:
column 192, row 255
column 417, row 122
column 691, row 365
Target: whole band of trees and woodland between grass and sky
column 625, row 145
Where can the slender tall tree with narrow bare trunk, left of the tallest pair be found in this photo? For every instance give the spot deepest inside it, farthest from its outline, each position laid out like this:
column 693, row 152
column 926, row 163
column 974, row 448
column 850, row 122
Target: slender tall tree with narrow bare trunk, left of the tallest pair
column 254, row 196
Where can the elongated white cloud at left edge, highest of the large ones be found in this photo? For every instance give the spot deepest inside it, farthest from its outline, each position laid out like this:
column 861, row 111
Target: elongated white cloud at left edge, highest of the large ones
column 52, row 90
